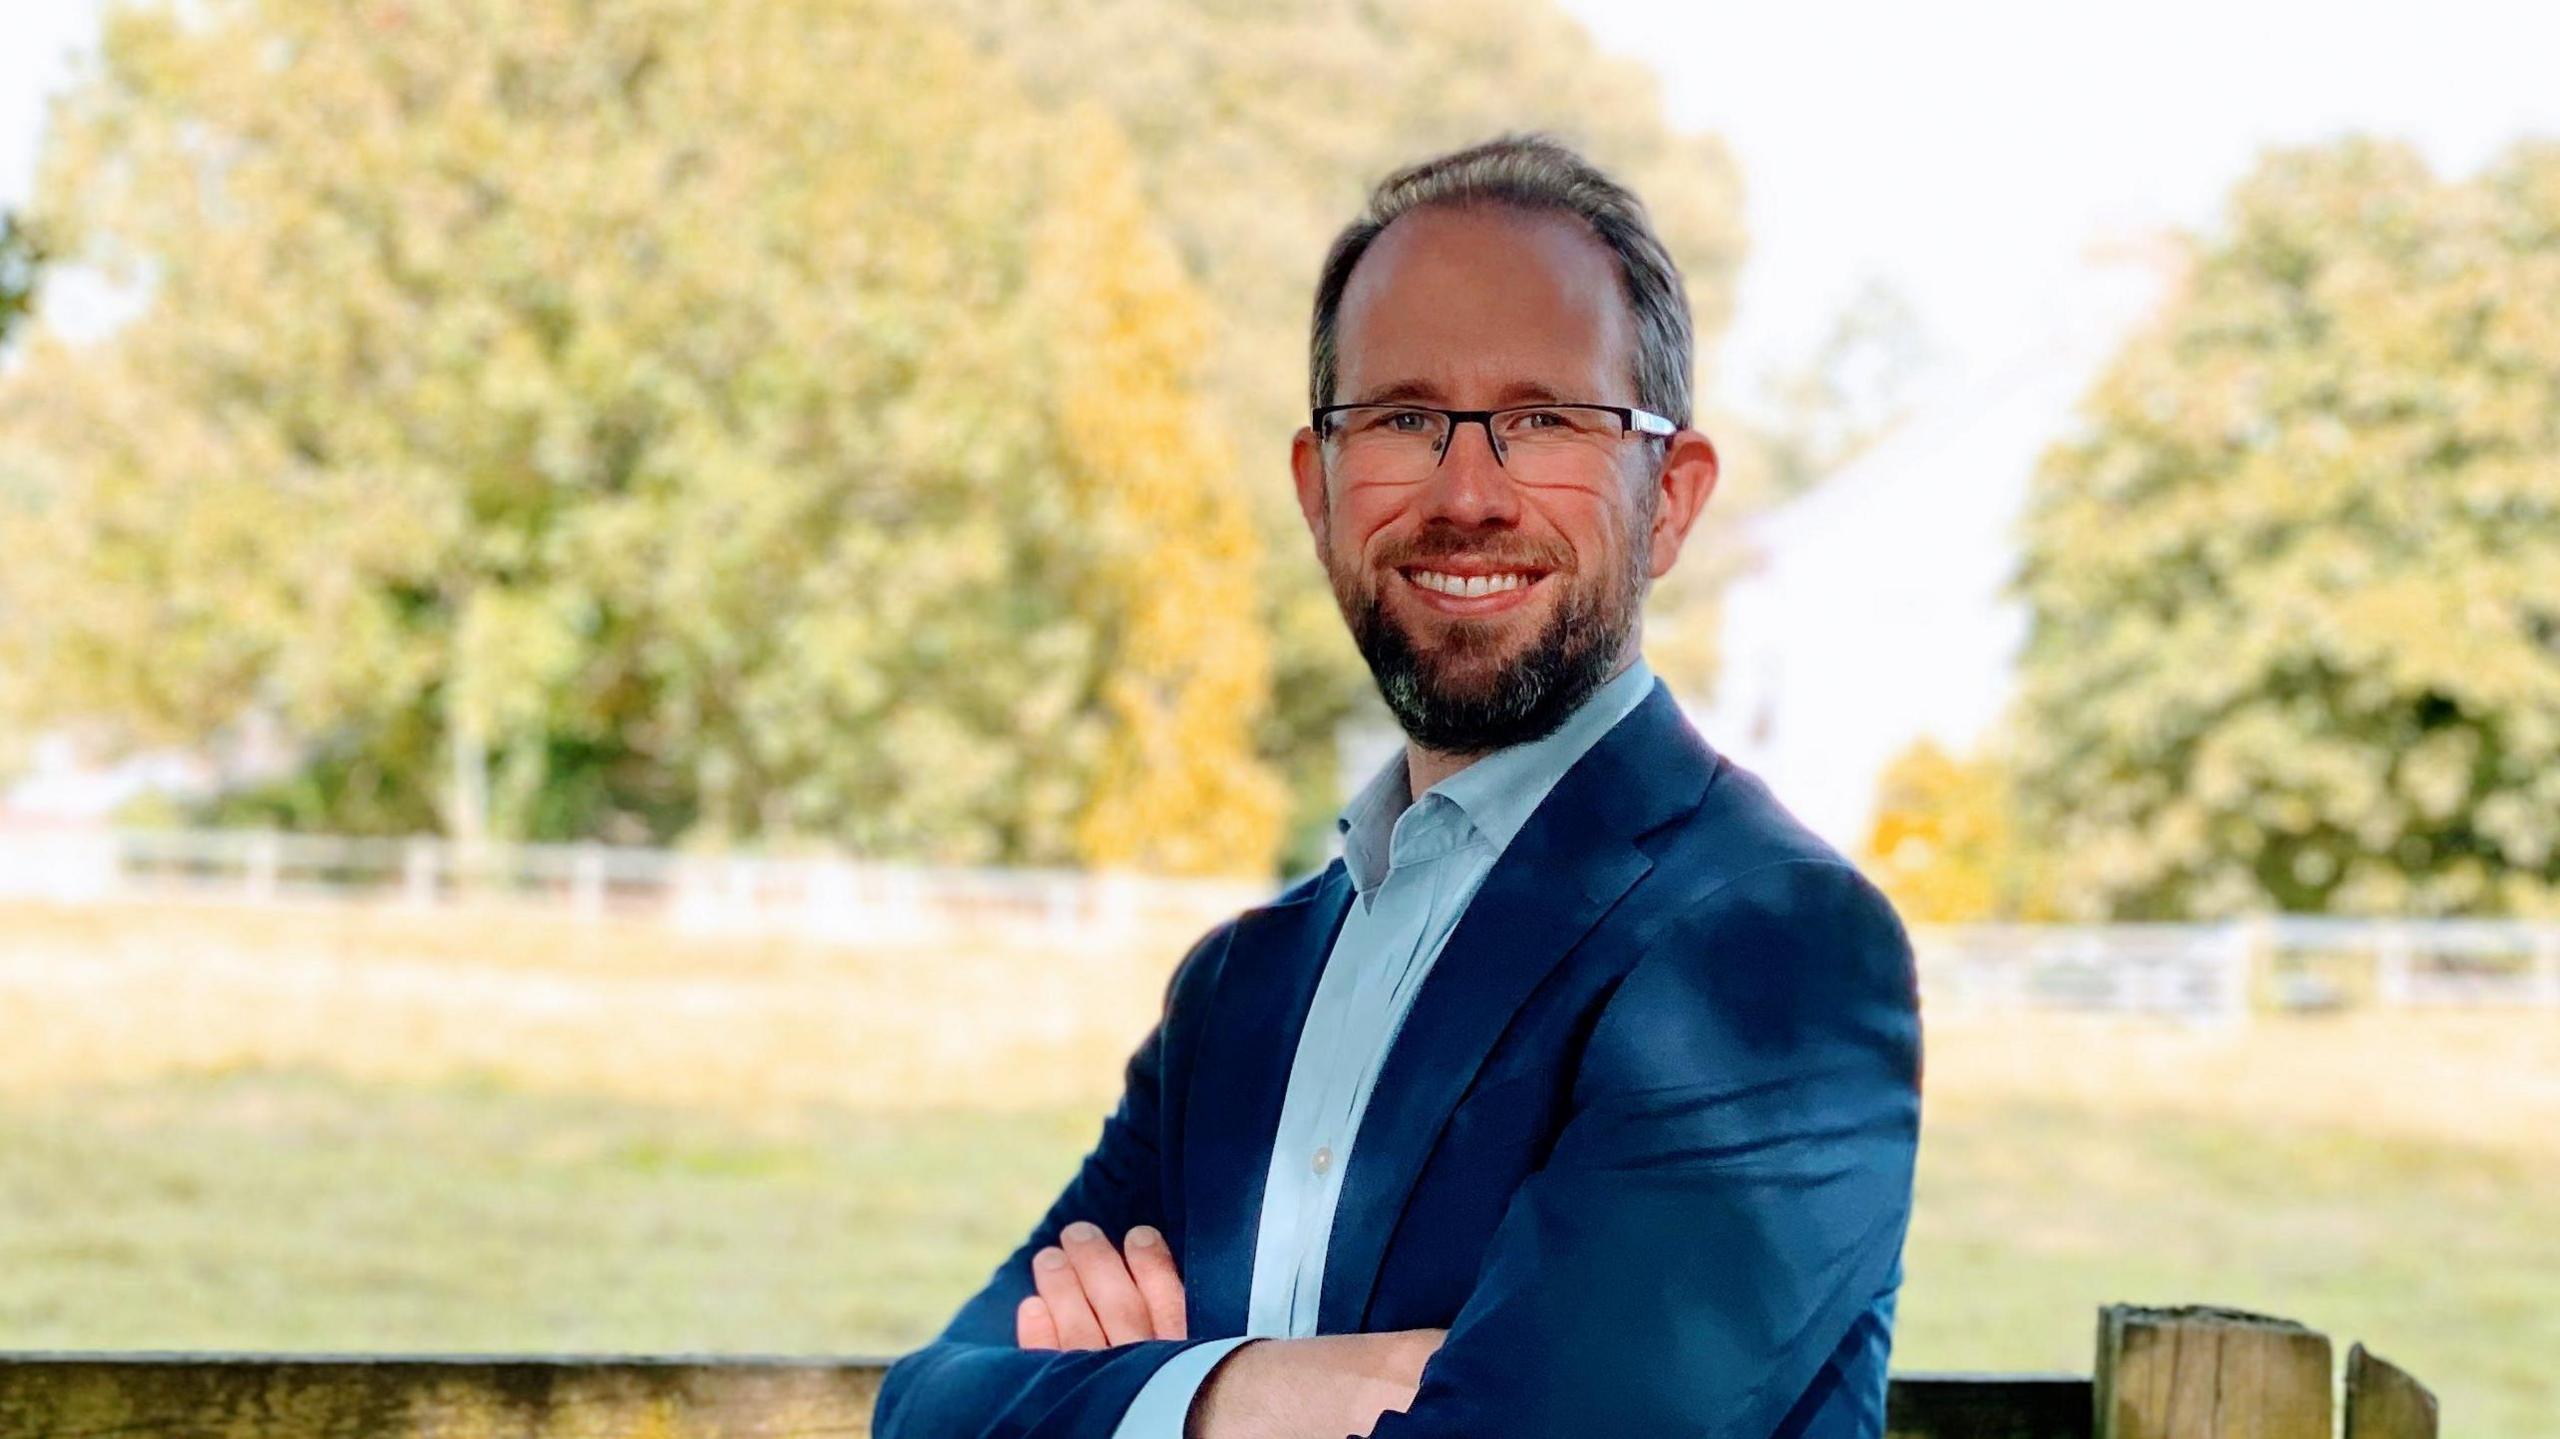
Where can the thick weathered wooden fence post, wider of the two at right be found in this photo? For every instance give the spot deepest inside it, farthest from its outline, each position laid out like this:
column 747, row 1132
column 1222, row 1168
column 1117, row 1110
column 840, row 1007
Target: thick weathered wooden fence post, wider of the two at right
column 2208, row 1374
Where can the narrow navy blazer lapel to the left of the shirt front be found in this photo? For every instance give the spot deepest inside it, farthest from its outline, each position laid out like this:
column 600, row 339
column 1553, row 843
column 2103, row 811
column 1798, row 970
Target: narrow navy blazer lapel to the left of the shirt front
column 1240, row 1077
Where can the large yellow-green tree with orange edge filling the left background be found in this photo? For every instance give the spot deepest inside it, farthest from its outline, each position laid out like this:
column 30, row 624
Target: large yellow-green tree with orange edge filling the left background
column 631, row 419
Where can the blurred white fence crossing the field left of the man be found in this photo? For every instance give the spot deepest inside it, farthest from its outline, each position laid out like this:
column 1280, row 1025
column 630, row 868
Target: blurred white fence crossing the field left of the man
column 820, row 897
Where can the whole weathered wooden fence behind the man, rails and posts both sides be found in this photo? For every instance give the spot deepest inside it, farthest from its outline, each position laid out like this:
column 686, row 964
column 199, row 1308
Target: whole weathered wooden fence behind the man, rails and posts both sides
column 2162, row 1374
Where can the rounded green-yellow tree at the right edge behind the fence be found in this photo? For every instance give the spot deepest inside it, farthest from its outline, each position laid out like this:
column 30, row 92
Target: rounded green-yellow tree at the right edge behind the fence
column 2298, row 590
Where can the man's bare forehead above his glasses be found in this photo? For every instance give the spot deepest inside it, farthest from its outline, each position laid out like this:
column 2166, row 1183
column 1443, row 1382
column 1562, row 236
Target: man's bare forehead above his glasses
column 1484, row 298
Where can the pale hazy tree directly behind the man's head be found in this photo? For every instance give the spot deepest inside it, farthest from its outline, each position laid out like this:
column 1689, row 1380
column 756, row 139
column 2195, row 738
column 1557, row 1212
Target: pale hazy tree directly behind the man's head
column 1258, row 134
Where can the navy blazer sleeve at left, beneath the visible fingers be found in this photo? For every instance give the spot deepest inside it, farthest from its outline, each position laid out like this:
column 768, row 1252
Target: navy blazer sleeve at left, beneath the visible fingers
column 972, row 1381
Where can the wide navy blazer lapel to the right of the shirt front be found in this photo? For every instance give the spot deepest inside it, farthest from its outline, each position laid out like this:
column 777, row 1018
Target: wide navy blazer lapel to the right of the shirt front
column 1563, row 872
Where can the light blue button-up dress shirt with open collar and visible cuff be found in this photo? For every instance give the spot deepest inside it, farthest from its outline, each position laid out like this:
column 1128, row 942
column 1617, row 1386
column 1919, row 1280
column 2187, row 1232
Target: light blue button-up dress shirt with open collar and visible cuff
column 1414, row 867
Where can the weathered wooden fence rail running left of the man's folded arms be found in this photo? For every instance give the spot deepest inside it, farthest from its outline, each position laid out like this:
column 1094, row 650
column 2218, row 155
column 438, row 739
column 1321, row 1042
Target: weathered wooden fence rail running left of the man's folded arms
column 465, row 1397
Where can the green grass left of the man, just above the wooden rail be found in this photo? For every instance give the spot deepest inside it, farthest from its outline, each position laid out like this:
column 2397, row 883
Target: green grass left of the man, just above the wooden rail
column 303, row 1212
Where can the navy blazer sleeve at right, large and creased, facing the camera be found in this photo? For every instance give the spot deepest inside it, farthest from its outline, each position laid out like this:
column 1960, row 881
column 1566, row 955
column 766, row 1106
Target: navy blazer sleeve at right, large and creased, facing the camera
column 1727, row 1197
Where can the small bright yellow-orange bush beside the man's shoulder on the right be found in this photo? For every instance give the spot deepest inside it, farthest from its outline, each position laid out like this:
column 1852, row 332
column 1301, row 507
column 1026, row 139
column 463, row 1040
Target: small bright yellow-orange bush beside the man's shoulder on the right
column 1944, row 844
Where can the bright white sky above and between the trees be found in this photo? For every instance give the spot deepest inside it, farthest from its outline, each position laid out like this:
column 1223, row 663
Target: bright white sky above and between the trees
column 1960, row 152
